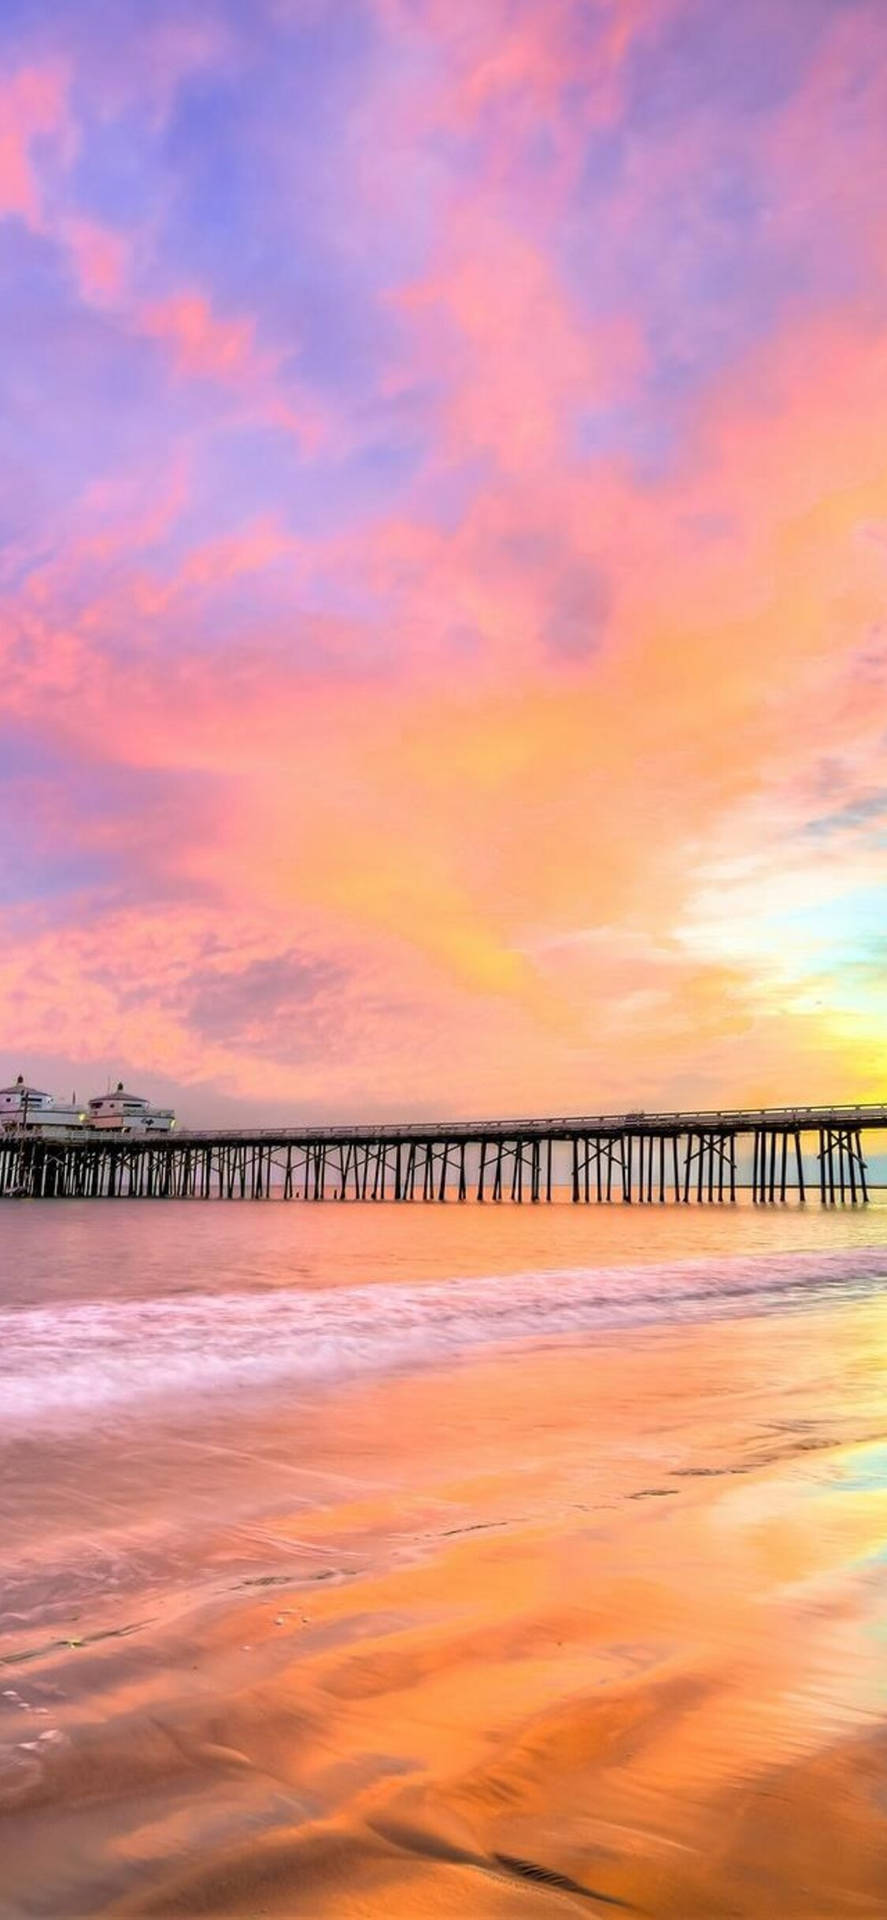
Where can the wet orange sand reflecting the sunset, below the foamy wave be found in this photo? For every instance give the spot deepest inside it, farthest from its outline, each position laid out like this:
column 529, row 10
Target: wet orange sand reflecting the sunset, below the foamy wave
column 588, row 1629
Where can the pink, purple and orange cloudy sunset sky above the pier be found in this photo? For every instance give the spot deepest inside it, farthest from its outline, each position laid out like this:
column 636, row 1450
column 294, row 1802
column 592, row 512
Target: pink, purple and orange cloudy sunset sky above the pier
column 444, row 554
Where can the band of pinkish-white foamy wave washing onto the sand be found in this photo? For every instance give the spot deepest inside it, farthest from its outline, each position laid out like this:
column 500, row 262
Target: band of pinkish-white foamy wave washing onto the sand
column 70, row 1362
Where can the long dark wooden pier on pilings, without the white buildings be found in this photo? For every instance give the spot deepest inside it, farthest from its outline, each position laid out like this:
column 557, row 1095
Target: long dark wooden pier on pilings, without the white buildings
column 642, row 1159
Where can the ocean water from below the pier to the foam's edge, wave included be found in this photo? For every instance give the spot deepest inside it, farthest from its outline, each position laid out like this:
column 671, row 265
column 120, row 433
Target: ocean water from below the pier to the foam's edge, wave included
column 158, row 1308
